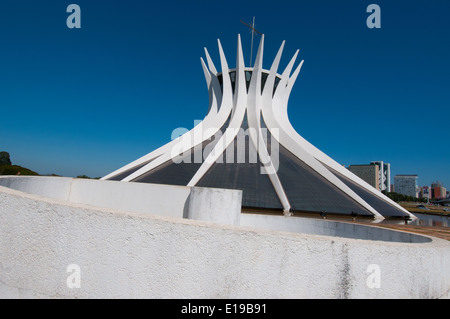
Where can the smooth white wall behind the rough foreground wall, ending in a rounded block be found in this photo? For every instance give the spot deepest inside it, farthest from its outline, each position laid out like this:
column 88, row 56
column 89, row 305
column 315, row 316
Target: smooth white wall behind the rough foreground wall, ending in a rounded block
column 166, row 200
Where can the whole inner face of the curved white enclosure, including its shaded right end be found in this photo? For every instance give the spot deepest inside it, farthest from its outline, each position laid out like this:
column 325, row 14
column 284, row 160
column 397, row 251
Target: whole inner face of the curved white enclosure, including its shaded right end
column 207, row 204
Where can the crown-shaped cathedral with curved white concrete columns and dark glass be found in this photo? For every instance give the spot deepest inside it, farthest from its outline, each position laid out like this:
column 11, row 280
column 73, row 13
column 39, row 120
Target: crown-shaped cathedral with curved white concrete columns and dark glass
column 276, row 168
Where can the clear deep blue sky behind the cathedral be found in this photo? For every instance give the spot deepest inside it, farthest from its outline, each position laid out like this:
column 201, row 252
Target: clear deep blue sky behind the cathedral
column 89, row 100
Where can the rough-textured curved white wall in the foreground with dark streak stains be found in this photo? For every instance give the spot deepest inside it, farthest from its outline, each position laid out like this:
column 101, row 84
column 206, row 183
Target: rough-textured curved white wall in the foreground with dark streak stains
column 141, row 255
